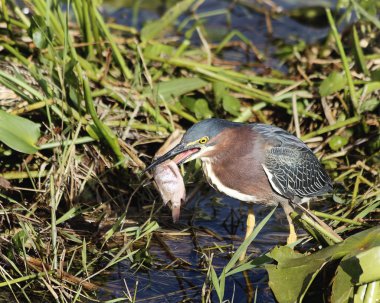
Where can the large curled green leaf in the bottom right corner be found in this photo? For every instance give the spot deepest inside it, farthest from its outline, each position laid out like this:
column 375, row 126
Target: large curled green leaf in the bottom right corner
column 294, row 272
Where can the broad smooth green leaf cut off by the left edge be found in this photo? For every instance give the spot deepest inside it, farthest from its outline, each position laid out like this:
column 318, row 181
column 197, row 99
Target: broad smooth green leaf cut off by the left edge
column 19, row 133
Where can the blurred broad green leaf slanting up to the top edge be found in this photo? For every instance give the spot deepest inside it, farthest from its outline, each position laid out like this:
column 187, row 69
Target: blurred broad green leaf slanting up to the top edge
column 159, row 27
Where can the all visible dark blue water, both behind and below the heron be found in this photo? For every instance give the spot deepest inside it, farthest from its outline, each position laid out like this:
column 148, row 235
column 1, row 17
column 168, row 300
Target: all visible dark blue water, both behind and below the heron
column 211, row 212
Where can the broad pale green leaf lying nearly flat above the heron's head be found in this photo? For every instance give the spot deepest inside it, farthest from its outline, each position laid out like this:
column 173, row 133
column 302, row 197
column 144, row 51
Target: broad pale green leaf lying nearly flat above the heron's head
column 177, row 87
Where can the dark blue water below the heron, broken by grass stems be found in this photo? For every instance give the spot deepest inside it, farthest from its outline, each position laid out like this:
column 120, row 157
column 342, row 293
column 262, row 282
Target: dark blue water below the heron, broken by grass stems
column 226, row 218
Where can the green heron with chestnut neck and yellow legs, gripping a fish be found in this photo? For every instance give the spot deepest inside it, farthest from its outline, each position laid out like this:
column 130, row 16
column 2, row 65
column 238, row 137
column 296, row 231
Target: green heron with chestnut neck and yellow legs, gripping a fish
column 254, row 163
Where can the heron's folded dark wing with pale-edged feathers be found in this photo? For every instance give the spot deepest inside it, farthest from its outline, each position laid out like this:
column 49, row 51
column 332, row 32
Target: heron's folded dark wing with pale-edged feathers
column 291, row 167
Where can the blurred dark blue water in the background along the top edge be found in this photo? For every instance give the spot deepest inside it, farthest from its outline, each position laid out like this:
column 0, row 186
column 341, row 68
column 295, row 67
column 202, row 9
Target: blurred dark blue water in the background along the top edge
column 243, row 18
